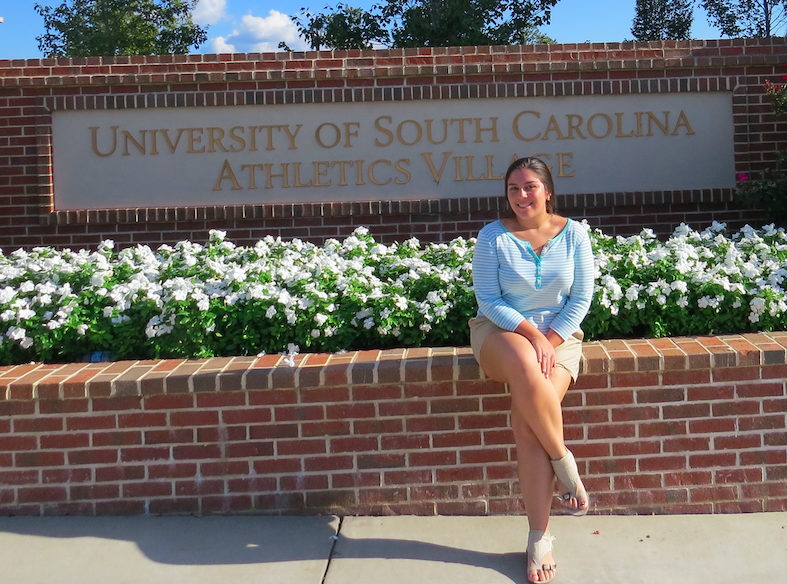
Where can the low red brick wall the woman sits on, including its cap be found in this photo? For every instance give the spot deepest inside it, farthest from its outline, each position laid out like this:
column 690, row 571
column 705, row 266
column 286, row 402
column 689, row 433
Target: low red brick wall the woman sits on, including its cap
column 685, row 425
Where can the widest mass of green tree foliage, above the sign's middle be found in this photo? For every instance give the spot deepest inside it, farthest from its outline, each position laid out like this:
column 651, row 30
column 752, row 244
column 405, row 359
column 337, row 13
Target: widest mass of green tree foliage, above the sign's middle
column 435, row 23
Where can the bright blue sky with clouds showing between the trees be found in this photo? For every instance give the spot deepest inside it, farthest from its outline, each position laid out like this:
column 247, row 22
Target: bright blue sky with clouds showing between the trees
column 259, row 25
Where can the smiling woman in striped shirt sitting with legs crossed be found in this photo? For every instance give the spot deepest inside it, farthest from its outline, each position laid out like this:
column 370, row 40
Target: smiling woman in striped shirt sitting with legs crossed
column 533, row 279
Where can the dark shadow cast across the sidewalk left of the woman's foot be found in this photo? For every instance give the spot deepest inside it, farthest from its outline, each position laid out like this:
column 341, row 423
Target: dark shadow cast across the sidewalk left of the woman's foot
column 239, row 540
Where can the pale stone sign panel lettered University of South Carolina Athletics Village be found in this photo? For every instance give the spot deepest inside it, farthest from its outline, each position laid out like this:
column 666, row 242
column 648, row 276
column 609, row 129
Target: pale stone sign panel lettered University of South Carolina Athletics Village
column 193, row 156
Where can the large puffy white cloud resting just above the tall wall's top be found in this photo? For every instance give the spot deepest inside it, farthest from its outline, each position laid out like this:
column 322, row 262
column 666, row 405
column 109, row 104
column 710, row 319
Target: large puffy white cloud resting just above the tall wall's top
column 257, row 34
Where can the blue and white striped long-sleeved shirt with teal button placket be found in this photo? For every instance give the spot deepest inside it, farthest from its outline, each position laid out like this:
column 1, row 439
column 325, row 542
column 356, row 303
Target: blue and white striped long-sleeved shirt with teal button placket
column 552, row 290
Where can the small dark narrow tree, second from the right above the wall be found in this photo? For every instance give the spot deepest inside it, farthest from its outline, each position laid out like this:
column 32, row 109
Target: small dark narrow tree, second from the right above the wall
column 657, row 20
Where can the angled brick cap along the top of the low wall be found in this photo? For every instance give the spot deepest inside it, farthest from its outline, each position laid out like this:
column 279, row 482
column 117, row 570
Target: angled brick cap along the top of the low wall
column 371, row 367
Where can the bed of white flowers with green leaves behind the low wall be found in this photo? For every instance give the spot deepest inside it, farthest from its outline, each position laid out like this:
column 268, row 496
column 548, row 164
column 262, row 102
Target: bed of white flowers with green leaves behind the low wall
column 220, row 299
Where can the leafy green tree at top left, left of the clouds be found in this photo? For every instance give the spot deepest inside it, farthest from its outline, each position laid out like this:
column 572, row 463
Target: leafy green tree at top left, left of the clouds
column 85, row 28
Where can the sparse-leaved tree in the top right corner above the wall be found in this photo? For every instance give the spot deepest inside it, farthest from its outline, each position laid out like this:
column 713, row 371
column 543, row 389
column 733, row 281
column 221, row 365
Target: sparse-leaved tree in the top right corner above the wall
column 746, row 18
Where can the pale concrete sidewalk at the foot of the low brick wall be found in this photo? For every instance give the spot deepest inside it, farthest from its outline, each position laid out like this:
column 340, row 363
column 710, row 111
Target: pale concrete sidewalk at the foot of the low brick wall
column 701, row 549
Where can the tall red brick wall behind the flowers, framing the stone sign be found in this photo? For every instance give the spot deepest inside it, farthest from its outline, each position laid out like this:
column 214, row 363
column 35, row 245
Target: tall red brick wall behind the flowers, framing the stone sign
column 31, row 89
